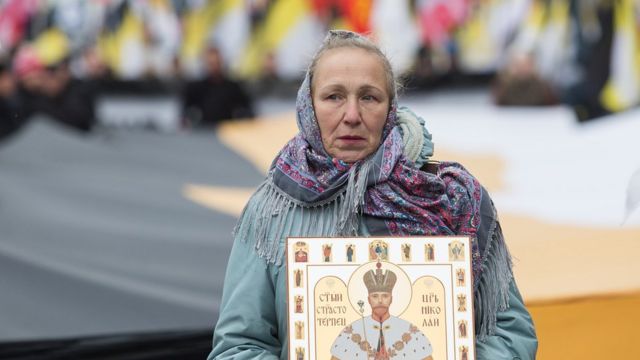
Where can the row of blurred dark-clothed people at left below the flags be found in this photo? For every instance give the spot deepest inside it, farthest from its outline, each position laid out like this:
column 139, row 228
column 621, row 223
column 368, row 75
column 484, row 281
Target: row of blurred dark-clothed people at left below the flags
column 39, row 80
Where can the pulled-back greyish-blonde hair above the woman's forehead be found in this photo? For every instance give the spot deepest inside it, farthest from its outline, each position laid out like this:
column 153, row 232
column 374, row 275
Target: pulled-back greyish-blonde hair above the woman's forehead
column 342, row 38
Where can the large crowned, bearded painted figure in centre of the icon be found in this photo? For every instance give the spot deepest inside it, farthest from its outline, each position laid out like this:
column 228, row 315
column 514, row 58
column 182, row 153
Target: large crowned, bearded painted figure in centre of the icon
column 381, row 335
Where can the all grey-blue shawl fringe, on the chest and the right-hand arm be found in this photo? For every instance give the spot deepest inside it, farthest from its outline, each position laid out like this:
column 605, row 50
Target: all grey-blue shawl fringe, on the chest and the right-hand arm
column 268, row 218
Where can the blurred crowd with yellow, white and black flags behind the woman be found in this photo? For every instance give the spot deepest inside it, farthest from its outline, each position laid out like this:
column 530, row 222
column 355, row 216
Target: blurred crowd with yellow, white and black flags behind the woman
column 56, row 58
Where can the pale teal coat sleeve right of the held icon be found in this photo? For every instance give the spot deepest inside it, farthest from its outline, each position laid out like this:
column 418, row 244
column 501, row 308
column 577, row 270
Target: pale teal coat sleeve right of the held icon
column 515, row 336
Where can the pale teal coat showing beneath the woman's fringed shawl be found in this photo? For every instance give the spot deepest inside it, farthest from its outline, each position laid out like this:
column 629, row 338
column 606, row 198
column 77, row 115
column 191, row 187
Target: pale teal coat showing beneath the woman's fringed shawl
column 253, row 314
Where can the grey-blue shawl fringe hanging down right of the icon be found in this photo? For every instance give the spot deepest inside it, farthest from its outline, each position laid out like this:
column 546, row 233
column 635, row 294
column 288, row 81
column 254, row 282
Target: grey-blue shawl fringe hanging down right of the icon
column 492, row 290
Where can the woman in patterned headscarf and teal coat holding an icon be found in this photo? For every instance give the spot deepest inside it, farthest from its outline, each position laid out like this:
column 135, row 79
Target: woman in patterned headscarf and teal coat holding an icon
column 359, row 167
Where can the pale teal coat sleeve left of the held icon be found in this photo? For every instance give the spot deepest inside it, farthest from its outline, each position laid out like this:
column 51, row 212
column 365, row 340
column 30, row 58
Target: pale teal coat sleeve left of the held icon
column 247, row 327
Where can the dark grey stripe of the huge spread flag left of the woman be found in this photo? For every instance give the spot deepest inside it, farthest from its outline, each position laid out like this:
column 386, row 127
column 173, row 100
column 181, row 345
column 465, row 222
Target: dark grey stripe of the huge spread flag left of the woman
column 96, row 236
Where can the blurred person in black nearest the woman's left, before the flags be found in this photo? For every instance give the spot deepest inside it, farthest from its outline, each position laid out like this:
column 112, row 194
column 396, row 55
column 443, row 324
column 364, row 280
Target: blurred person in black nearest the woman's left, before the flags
column 216, row 97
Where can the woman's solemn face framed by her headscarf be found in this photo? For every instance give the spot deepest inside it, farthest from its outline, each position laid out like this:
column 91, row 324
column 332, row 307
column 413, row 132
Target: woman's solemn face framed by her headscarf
column 350, row 101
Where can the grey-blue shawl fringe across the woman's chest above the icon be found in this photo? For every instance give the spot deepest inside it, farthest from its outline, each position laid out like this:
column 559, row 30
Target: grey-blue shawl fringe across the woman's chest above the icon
column 268, row 216
